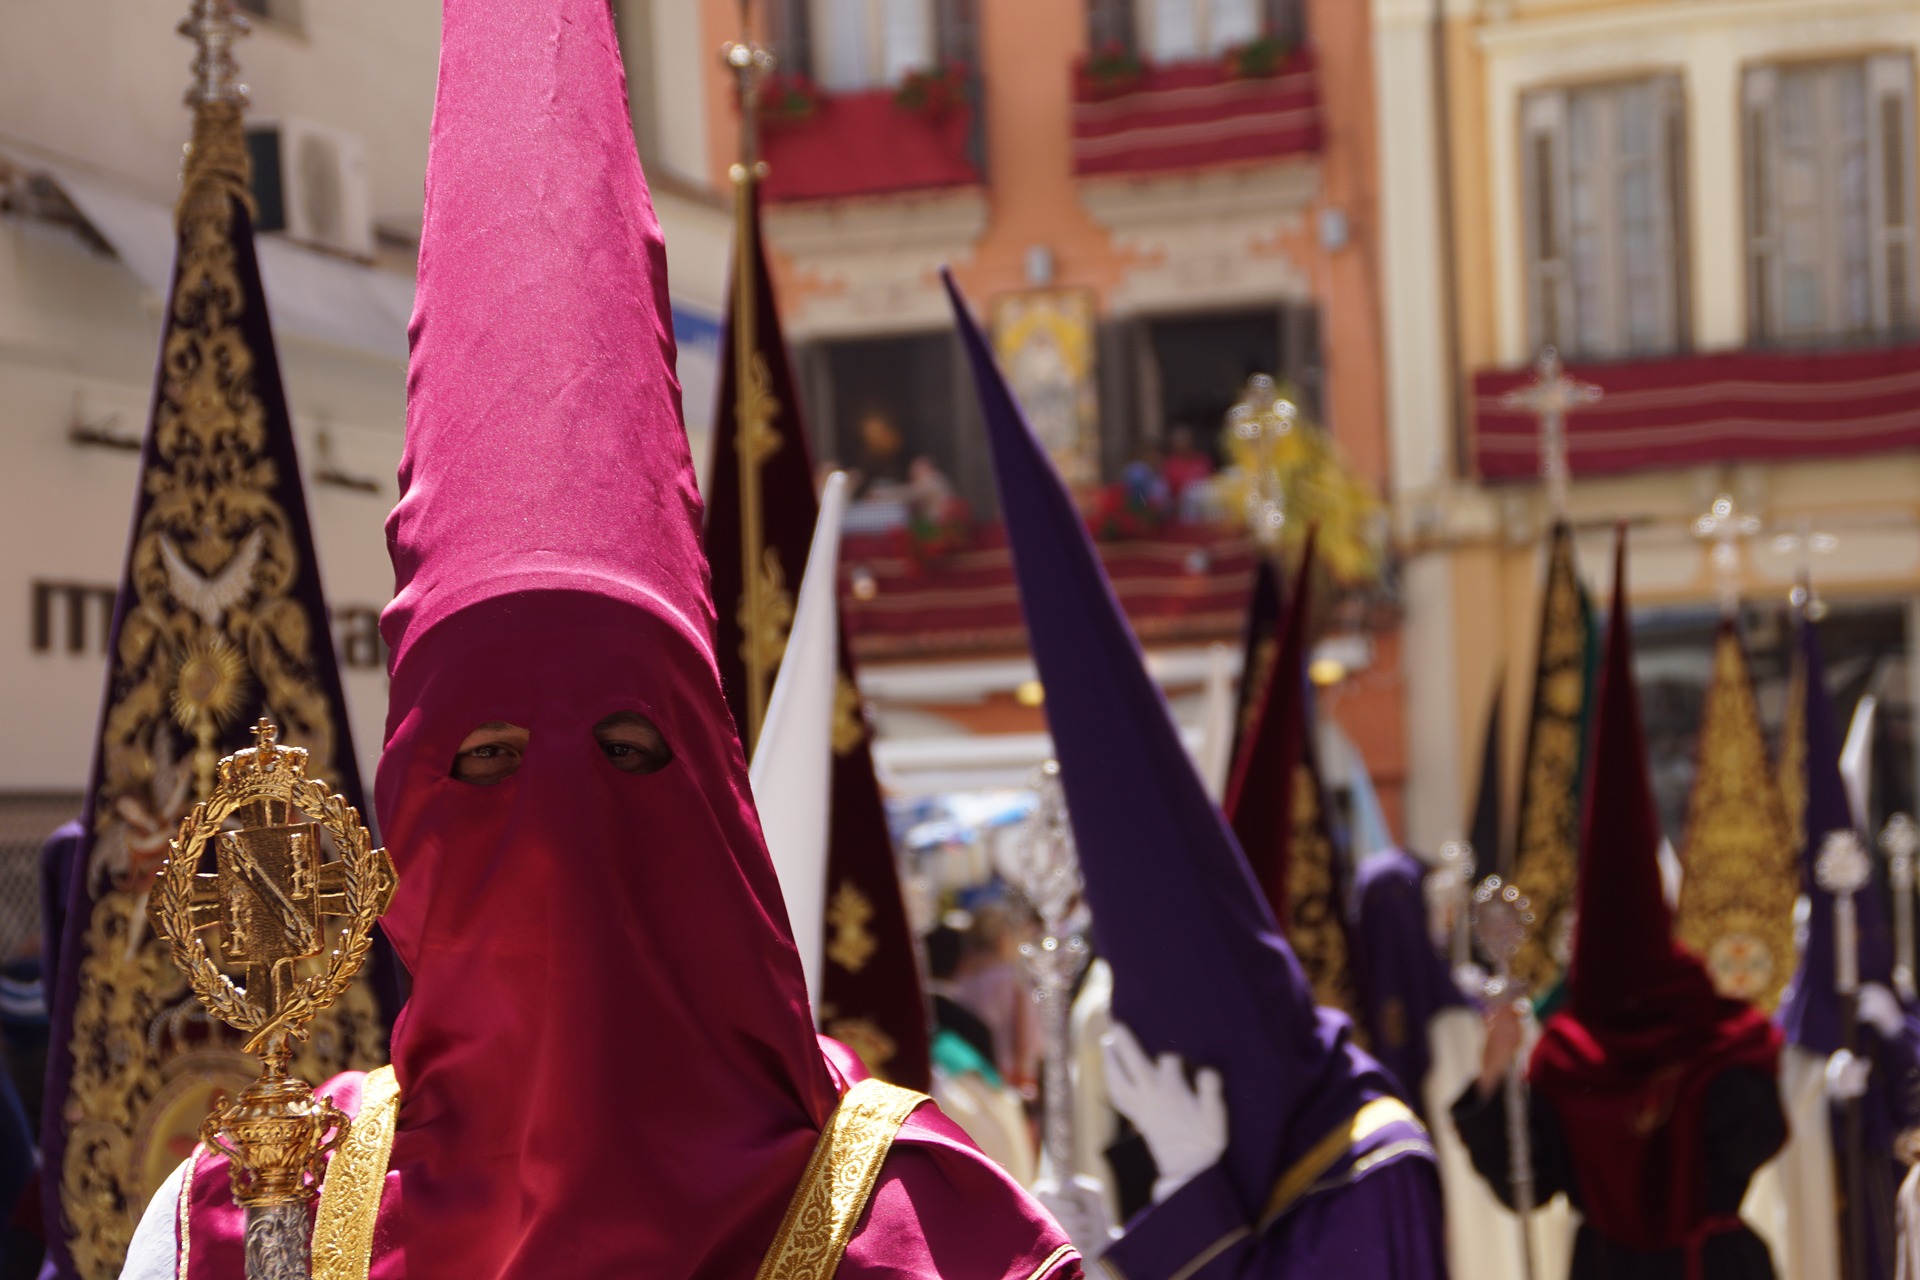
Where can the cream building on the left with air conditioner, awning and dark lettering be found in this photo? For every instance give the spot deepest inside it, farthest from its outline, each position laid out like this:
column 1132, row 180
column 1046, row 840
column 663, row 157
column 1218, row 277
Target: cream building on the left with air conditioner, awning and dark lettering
column 91, row 133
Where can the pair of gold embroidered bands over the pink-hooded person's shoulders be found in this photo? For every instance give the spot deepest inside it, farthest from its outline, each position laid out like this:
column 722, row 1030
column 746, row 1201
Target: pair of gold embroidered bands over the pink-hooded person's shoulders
column 811, row 1241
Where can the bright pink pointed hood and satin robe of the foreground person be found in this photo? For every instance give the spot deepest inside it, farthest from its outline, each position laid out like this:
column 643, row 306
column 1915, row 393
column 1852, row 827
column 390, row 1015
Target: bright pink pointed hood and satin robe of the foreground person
column 608, row 1062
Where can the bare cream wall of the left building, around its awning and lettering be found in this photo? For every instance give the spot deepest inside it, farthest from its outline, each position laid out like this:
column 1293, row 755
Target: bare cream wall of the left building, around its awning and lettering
column 95, row 87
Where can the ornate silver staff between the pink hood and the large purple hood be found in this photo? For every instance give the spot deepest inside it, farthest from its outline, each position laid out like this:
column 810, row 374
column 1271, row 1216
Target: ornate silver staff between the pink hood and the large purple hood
column 1045, row 870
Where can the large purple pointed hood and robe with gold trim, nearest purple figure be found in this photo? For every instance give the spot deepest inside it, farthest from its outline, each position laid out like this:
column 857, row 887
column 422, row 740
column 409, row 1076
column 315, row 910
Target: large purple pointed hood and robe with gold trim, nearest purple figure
column 1201, row 968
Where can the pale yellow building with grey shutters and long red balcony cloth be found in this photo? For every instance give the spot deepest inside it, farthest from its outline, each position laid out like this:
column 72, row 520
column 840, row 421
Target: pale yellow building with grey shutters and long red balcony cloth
column 1708, row 208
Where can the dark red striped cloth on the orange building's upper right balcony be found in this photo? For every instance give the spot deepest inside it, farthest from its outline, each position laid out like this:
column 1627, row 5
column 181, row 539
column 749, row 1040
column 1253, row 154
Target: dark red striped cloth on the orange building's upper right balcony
column 1138, row 118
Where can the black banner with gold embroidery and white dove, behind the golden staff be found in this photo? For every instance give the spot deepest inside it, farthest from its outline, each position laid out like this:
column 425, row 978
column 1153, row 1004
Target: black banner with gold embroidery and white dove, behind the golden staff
column 220, row 621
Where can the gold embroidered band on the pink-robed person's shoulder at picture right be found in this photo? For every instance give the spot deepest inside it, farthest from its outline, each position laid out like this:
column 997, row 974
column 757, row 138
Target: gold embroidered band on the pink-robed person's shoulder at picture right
column 838, row 1183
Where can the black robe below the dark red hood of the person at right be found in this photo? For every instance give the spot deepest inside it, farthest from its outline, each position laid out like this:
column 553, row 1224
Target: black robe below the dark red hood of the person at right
column 1744, row 1129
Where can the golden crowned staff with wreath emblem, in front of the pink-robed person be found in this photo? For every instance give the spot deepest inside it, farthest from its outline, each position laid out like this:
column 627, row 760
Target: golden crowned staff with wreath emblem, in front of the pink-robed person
column 264, row 907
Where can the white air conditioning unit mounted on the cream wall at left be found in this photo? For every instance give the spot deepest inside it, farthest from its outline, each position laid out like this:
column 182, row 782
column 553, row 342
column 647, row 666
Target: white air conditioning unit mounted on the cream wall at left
column 312, row 183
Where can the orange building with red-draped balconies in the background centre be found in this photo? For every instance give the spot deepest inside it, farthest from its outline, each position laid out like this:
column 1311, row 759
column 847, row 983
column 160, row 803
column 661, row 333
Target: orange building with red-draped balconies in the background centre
column 1174, row 197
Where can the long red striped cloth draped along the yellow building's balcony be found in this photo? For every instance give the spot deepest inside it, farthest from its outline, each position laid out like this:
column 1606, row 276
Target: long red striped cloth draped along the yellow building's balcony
column 1723, row 408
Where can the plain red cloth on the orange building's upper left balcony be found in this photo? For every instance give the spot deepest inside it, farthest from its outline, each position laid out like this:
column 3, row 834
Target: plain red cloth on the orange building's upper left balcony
column 921, row 135
